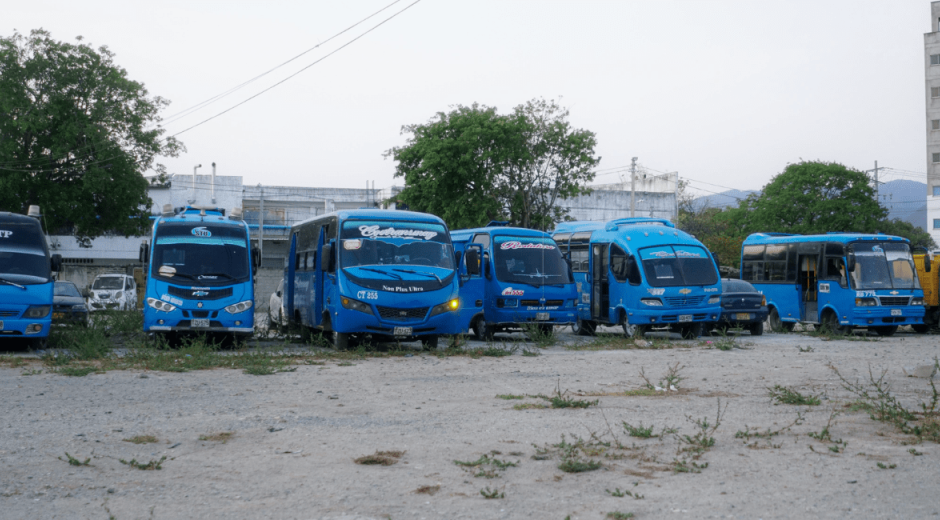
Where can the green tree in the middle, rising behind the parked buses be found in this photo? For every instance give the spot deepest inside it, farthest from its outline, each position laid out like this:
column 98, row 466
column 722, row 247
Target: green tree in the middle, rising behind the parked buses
column 472, row 165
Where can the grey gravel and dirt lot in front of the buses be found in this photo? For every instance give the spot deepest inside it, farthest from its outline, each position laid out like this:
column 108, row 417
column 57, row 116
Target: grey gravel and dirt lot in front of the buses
column 285, row 445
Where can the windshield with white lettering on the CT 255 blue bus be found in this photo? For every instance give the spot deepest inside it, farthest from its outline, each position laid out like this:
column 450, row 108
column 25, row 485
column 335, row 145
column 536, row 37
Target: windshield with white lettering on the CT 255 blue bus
column 374, row 243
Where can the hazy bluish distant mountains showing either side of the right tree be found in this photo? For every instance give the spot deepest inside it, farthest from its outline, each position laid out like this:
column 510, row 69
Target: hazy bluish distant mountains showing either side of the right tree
column 904, row 200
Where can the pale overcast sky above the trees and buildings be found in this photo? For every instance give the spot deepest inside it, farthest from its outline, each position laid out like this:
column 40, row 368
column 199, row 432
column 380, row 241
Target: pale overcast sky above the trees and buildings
column 724, row 92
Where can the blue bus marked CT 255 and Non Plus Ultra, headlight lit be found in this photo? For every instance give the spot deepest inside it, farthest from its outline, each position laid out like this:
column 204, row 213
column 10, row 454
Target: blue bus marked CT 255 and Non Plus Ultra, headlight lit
column 389, row 275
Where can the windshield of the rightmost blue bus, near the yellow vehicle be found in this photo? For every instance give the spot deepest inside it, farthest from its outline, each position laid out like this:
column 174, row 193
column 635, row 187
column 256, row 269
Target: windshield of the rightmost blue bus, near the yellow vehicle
column 883, row 266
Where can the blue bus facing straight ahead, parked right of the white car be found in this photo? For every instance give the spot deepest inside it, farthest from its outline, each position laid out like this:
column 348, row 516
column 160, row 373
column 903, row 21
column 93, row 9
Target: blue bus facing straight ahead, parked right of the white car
column 201, row 277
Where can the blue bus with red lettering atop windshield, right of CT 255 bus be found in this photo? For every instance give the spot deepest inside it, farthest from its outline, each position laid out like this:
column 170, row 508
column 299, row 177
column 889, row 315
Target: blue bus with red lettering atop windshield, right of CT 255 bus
column 522, row 280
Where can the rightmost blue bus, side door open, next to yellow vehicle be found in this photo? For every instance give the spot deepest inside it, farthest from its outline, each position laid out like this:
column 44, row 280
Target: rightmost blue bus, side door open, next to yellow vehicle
column 836, row 280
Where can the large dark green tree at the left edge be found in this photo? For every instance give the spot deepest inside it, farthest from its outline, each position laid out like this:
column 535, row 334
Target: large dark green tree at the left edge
column 76, row 135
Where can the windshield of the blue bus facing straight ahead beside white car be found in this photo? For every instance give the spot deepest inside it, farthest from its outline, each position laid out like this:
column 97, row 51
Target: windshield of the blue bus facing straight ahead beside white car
column 202, row 253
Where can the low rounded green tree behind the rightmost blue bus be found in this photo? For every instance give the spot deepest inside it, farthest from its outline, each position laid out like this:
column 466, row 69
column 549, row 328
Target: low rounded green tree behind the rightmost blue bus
column 808, row 198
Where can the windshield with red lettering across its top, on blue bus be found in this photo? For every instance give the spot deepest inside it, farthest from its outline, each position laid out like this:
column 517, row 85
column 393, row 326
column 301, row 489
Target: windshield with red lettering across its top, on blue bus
column 530, row 260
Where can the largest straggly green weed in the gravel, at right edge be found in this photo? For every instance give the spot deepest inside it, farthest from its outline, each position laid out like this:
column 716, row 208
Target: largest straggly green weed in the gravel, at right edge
column 885, row 407
